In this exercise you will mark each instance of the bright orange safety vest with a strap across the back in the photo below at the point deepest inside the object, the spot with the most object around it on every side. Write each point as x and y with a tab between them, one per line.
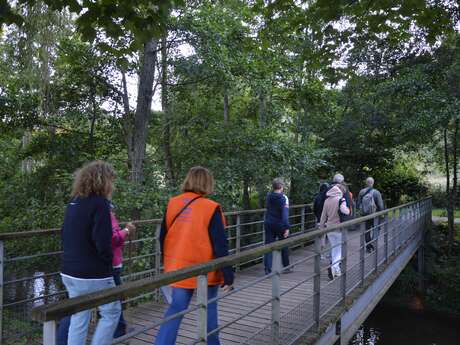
187	241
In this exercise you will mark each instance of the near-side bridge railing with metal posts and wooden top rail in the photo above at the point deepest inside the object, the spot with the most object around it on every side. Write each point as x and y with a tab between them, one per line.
393	230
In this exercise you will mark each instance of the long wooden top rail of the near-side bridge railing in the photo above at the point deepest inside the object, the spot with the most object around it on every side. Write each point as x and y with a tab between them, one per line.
56	311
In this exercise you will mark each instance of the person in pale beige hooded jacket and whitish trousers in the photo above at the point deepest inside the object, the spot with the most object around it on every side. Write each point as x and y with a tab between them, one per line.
334	204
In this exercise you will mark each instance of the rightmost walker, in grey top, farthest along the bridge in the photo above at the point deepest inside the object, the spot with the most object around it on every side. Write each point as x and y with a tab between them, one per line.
370	201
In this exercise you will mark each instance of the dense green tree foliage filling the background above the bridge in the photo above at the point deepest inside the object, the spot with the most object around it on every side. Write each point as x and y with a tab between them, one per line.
276	62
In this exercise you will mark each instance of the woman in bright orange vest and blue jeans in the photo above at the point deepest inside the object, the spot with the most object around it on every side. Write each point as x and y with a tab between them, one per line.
193	232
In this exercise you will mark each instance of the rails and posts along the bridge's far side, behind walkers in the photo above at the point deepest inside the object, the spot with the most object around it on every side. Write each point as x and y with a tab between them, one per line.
242	238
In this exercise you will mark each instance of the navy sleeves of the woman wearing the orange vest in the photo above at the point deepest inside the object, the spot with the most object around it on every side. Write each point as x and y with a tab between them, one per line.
219	242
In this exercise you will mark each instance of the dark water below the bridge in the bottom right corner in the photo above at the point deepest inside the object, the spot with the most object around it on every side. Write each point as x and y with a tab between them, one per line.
401	326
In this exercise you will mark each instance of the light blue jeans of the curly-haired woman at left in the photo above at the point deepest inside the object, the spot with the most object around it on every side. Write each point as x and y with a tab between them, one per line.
110	313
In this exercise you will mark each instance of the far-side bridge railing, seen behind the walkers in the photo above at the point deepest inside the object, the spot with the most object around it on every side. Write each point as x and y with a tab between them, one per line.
29	266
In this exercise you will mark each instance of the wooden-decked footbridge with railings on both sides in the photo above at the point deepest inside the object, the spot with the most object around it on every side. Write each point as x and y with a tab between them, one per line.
301	307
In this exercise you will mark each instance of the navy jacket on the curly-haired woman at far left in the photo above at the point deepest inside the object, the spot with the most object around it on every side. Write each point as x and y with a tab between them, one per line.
87	238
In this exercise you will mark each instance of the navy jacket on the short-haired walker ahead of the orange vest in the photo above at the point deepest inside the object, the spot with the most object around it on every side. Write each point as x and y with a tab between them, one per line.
277	214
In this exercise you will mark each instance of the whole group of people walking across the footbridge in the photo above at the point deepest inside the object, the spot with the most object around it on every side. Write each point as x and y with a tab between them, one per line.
192	232
